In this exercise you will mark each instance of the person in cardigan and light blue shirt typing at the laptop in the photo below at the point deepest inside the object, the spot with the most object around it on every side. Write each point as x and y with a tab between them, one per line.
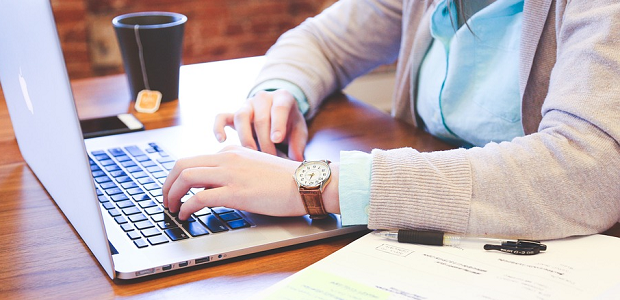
527	90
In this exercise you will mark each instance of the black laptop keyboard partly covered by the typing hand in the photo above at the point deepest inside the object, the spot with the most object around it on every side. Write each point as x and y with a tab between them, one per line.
129	181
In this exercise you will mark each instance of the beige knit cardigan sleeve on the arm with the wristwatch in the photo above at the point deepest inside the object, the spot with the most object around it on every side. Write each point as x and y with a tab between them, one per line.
560	181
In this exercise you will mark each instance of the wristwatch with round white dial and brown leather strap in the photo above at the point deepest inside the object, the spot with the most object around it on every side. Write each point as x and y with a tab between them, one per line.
311	178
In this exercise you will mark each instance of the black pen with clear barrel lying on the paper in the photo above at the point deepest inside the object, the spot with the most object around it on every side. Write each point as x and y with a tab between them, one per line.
438	238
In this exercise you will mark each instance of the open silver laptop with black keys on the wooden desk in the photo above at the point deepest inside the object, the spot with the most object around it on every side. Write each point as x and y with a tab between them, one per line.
109	188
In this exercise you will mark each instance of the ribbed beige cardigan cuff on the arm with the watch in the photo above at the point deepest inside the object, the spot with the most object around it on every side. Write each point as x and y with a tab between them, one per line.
416	190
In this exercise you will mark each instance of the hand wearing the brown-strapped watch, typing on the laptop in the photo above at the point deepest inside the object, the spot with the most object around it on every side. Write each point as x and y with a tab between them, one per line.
239	178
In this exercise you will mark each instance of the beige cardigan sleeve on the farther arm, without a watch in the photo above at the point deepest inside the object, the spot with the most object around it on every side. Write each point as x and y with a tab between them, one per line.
325	53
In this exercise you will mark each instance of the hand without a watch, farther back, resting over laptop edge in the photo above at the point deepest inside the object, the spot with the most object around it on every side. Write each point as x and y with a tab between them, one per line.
268	118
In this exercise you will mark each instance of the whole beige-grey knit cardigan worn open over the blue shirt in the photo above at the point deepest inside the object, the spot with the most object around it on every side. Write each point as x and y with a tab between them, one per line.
561	179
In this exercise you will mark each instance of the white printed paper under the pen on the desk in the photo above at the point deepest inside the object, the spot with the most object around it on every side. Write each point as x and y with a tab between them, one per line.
376	268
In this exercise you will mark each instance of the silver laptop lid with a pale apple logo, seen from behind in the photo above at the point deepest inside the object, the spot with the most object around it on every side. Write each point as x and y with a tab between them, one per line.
40	102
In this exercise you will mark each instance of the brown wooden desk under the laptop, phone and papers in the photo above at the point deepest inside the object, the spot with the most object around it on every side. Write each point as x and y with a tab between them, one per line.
41	256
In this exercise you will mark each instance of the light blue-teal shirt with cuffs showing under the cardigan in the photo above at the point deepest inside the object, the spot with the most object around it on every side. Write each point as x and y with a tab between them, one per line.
468	93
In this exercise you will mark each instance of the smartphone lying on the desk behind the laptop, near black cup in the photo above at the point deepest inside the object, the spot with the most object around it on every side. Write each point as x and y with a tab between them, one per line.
122	123
